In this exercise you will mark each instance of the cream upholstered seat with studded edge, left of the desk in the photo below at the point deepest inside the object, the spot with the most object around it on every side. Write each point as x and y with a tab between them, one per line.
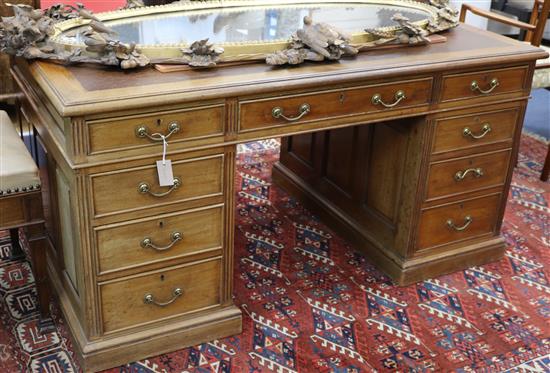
18	172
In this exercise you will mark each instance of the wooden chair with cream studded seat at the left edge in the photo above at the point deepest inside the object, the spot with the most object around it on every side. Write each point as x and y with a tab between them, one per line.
21	207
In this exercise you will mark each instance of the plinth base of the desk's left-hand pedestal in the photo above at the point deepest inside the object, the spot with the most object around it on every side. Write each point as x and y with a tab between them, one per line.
112	351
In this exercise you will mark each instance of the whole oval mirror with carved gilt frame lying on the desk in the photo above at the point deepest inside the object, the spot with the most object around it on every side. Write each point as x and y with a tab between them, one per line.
205	33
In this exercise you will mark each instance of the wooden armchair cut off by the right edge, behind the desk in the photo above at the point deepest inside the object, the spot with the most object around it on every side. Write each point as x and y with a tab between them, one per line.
534	32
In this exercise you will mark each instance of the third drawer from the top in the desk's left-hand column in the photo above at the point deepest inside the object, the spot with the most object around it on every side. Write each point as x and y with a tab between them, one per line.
159	239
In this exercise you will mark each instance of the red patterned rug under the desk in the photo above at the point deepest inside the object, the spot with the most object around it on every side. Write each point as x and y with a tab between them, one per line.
312	304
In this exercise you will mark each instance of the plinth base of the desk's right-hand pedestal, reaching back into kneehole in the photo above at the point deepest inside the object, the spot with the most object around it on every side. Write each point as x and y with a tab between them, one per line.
403	271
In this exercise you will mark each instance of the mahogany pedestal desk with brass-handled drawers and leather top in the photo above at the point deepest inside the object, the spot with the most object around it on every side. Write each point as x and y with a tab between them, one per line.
142	269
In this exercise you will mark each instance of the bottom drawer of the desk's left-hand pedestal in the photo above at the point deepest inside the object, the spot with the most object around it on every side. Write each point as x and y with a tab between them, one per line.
132	301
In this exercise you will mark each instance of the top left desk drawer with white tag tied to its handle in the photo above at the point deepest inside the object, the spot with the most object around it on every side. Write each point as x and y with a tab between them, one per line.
133	131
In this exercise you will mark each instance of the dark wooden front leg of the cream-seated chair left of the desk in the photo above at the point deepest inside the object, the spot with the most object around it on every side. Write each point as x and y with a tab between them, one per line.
38	244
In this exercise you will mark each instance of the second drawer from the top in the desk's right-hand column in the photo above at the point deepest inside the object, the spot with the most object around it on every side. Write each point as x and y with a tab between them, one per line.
475	130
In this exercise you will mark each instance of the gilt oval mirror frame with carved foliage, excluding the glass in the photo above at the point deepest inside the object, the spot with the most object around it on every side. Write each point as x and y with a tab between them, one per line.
95	43
